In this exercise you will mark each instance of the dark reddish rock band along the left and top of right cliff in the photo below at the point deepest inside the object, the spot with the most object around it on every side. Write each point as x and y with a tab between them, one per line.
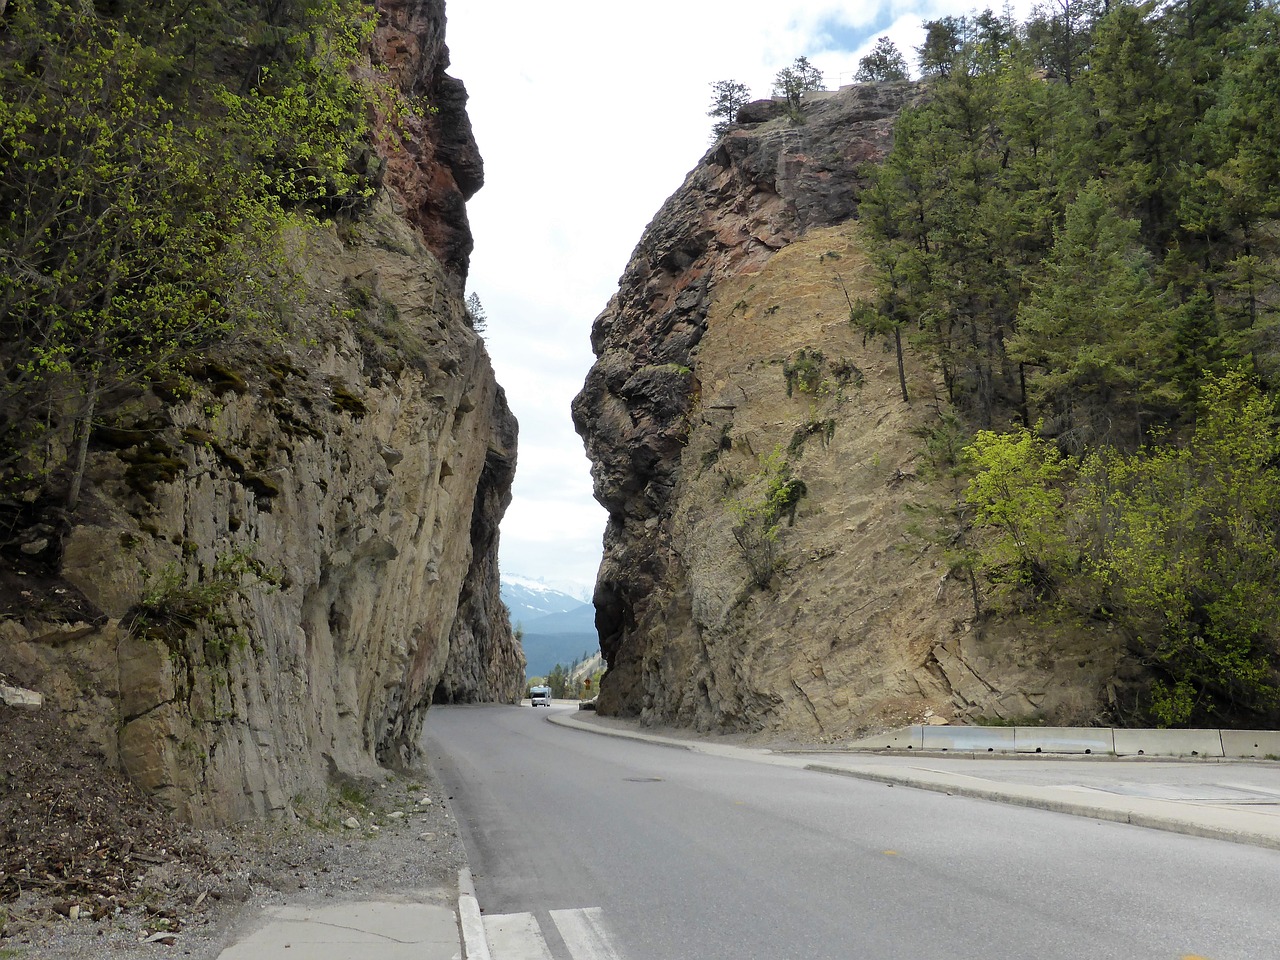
756	191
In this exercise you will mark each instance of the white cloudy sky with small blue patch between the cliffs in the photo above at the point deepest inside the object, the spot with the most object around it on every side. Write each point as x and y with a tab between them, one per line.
589	116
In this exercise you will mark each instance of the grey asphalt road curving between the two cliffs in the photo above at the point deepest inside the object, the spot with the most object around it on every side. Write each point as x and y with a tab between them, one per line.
687	857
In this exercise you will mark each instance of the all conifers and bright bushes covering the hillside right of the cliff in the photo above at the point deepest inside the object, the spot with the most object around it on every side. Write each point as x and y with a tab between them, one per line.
1081	227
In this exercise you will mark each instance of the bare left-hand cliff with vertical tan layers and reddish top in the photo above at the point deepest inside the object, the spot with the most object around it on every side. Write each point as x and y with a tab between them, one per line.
273	575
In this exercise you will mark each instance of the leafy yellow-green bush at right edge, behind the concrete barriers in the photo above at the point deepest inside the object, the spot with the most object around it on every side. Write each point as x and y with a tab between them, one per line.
1186	545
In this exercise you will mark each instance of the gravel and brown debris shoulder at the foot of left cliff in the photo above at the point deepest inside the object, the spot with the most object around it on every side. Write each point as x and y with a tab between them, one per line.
89	867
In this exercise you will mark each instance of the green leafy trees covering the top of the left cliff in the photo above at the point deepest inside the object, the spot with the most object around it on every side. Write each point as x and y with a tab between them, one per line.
147	202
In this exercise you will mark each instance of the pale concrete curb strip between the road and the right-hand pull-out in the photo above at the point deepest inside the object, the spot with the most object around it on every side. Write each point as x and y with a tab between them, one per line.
1026	798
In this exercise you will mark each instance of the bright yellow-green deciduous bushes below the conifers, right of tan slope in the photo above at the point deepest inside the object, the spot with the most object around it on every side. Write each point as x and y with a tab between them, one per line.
1176	545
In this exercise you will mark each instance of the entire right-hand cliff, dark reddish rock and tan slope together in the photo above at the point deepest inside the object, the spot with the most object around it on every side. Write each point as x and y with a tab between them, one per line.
728	365
